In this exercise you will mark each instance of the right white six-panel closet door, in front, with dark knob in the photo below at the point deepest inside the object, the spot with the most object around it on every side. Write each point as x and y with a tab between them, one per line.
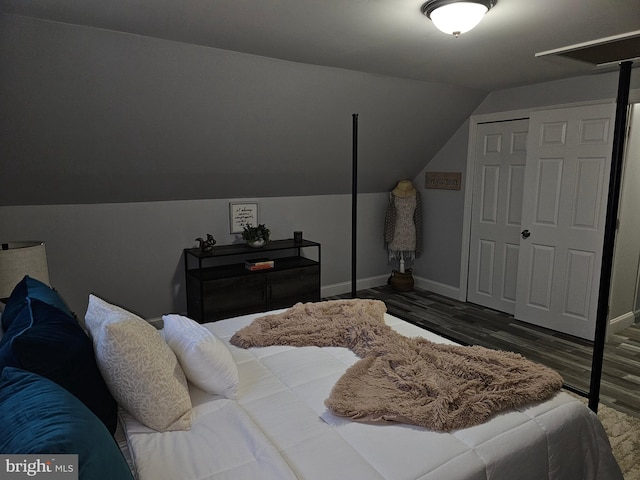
565	195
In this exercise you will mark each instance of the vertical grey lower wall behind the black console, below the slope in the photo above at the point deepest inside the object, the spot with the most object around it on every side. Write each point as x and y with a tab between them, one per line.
131	253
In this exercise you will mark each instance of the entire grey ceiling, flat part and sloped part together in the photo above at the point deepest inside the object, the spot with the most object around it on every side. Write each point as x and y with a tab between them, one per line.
163	99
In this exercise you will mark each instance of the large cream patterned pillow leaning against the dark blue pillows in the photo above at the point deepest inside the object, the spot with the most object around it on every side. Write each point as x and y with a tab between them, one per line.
141	371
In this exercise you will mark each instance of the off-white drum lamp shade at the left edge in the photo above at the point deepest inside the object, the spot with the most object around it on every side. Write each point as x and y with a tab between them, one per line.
18	259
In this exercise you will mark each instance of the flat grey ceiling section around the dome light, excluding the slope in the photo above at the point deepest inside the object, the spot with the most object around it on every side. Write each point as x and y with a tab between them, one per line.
388	37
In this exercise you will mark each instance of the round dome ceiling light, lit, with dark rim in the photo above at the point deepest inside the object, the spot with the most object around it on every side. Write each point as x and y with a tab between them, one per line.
456	17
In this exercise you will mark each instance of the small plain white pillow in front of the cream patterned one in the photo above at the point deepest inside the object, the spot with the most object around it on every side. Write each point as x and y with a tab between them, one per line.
205	359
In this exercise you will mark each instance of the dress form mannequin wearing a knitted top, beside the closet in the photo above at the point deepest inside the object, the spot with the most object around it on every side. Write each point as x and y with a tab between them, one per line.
403	225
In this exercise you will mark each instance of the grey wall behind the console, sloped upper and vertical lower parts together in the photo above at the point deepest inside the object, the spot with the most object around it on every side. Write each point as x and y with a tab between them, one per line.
118	150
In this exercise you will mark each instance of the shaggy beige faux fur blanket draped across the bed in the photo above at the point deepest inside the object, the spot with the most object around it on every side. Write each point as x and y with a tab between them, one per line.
410	380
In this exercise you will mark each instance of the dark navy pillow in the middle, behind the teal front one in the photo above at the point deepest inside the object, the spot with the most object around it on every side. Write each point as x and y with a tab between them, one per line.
43	339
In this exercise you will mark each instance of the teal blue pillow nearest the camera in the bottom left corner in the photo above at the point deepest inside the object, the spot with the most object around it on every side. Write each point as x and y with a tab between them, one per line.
39	417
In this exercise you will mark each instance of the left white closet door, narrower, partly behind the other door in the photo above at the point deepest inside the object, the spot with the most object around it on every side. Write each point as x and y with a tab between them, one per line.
496	214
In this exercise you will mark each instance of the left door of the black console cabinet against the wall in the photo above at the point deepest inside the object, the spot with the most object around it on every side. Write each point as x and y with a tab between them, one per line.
234	296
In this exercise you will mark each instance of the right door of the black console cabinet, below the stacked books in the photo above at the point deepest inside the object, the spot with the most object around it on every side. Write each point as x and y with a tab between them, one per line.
287	287
